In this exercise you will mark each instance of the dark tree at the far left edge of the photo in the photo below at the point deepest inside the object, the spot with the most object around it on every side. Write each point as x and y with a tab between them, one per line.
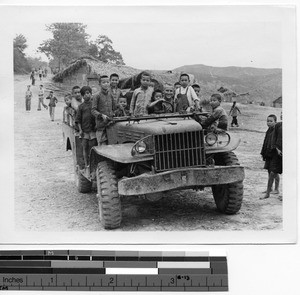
21	65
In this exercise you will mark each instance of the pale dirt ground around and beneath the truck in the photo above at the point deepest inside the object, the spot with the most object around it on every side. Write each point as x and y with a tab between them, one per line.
46	198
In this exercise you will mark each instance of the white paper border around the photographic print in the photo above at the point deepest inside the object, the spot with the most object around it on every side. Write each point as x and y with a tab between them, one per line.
283	14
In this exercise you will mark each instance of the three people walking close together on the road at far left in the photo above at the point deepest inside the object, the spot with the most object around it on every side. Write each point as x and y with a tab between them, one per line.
52	100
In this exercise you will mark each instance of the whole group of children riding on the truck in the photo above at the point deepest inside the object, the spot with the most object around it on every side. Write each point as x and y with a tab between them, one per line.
92	116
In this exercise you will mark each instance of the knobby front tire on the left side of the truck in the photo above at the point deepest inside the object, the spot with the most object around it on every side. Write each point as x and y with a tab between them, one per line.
108	197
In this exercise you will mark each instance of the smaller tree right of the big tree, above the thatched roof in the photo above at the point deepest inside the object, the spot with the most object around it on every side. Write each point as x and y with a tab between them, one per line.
103	50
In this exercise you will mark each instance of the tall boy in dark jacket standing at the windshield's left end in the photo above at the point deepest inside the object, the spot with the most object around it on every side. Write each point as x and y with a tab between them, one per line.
103	107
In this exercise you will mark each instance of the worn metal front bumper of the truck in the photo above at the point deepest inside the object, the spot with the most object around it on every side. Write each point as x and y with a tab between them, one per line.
179	179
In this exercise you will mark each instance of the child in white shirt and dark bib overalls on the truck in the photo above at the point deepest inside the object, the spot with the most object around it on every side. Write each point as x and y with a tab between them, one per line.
185	97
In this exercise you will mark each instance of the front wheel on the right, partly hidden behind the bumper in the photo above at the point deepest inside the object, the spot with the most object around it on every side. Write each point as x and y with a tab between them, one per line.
228	197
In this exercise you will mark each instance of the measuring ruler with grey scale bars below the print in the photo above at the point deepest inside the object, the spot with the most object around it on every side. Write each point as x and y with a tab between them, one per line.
80	270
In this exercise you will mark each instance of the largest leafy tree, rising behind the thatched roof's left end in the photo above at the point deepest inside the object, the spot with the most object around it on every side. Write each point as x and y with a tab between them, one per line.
69	42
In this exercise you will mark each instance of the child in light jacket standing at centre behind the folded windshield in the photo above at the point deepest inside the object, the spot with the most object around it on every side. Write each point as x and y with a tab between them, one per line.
141	96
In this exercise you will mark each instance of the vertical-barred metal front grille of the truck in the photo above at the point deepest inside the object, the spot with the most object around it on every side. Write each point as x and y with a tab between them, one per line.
179	150
